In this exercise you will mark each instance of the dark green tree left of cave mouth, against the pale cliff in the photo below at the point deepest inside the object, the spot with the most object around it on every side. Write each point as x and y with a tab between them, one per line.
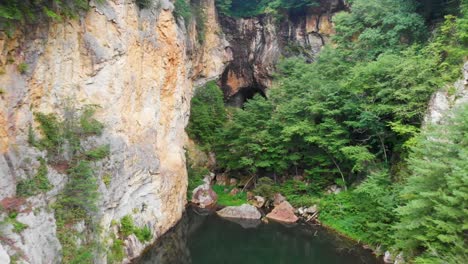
208	115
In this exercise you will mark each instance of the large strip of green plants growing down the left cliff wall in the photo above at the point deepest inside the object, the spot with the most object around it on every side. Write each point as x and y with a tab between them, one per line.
77	203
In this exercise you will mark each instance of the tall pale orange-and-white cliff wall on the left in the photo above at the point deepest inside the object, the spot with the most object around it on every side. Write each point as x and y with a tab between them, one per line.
139	66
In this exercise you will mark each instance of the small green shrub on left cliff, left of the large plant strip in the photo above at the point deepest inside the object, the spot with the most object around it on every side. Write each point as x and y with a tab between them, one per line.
39	183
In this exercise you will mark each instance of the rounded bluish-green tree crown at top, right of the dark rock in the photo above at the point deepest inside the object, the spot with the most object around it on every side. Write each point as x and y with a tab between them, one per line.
376	26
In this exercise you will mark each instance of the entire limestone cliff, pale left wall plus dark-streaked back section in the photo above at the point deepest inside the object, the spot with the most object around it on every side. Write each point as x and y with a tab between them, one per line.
139	66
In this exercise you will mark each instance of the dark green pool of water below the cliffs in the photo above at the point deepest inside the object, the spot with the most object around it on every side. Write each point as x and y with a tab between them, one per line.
209	239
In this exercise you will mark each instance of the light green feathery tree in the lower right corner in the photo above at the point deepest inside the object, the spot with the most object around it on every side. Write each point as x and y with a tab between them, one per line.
433	217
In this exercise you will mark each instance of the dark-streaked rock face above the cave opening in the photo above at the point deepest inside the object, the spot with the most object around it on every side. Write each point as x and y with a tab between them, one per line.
257	43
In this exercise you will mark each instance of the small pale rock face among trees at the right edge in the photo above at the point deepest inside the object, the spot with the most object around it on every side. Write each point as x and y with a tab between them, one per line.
447	99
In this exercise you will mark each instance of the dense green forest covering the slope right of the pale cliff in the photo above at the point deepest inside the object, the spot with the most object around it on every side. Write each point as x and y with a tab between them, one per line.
354	118
